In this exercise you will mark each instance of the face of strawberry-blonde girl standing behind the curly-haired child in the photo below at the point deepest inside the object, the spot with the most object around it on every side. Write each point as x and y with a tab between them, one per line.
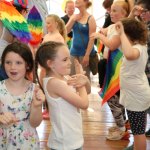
117	13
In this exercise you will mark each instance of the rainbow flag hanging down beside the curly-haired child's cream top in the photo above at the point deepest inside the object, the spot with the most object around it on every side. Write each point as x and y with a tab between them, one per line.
111	81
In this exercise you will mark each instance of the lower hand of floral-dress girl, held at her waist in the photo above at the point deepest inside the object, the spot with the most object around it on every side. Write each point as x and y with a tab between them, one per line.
8	118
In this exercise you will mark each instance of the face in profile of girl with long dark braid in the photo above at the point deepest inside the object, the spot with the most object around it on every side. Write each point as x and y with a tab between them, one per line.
62	62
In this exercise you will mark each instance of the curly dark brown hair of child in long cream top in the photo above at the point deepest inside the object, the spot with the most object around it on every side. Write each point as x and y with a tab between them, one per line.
135	30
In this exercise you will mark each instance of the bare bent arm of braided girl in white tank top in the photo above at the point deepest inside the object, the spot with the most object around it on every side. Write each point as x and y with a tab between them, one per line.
79	101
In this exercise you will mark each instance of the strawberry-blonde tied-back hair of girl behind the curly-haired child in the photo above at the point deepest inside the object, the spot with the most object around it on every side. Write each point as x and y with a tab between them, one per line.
124	4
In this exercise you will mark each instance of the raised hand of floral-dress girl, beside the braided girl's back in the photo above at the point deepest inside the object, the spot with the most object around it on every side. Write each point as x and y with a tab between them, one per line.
38	97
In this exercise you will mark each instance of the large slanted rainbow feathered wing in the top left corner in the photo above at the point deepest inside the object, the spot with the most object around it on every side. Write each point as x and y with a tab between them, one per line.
14	22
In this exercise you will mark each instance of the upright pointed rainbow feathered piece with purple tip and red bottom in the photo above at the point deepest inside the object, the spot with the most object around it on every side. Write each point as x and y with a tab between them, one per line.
35	26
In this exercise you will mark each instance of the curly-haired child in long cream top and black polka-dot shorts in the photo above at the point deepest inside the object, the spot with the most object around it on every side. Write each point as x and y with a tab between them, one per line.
134	87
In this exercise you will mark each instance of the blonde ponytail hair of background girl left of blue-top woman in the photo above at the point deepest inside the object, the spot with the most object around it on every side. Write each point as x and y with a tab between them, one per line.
61	25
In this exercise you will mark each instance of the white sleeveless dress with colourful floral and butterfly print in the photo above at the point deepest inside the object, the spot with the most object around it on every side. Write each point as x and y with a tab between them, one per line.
18	136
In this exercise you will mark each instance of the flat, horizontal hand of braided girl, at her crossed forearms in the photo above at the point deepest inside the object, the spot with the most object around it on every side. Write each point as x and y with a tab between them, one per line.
78	80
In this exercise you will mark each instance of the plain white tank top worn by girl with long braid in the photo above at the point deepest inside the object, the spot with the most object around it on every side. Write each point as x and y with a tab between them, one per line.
66	121
